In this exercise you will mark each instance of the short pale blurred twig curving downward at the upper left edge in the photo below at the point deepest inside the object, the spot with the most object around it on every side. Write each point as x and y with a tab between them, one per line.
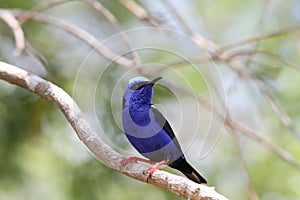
15	26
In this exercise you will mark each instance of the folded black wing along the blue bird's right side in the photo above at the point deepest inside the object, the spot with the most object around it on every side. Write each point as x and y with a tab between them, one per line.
165	124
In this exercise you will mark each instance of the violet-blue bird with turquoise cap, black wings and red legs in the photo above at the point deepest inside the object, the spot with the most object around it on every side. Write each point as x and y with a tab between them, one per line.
149	131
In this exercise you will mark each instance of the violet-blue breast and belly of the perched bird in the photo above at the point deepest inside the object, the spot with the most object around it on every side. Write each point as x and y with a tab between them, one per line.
150	139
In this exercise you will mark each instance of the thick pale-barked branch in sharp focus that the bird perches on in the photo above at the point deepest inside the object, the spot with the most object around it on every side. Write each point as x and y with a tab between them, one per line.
176	184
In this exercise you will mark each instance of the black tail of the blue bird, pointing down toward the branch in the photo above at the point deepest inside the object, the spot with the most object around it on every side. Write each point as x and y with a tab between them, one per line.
182	165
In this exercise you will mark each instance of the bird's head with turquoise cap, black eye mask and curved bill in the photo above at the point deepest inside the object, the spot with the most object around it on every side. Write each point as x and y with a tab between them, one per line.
139	91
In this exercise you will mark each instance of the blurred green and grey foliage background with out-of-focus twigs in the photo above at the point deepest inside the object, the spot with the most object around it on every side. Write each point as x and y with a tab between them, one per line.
230	90
